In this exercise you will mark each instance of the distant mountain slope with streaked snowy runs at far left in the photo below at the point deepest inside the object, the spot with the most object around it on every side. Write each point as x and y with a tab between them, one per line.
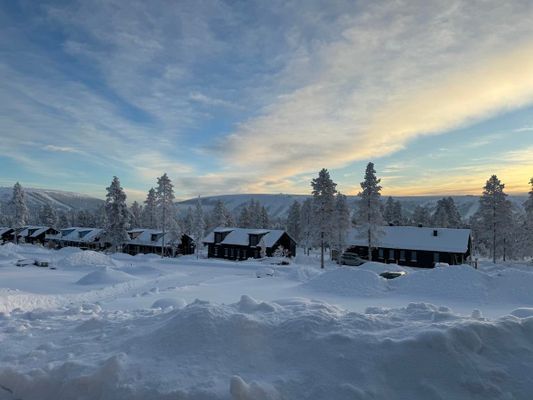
60	200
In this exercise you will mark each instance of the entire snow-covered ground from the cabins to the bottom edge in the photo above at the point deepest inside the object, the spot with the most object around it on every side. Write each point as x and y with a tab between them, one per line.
123	327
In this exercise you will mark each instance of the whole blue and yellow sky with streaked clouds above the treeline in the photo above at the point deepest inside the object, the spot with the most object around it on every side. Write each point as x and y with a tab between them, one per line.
257	96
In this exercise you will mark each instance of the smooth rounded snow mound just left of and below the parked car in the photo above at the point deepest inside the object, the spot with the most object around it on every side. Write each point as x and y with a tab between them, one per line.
347	281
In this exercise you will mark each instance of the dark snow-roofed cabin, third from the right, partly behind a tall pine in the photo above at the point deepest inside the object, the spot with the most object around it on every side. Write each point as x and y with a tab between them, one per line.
150	241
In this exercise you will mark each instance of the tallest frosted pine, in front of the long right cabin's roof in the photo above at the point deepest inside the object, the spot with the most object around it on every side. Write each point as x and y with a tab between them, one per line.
369	217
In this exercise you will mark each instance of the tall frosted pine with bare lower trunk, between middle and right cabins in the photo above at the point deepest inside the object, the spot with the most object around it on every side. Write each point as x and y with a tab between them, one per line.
324	190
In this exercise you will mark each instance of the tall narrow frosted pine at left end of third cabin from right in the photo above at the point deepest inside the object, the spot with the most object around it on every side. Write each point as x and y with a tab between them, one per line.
117	215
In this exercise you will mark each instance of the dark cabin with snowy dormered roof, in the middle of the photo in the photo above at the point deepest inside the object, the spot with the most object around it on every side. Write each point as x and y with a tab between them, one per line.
241	243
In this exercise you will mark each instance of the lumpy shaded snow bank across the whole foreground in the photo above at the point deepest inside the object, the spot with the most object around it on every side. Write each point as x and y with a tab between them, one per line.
291	349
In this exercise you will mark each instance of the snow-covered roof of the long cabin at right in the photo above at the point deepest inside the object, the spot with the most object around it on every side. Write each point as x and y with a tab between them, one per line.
416	238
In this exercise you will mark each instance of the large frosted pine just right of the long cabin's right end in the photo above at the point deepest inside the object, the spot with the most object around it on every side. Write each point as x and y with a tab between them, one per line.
492	222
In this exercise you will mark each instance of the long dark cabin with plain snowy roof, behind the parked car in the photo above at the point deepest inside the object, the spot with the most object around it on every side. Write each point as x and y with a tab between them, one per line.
415	246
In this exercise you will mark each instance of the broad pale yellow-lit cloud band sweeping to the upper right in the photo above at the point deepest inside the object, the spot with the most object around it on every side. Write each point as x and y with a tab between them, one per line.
397	72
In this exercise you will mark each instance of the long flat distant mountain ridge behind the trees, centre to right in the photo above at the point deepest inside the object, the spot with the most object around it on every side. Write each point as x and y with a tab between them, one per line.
278	204
